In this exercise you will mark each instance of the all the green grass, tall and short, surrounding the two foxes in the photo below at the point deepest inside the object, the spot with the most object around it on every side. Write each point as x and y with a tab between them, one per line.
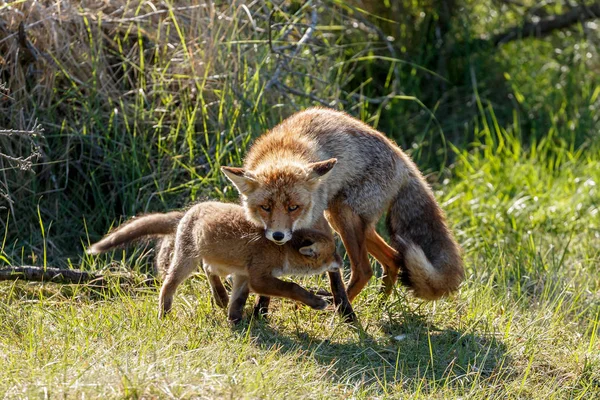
141	109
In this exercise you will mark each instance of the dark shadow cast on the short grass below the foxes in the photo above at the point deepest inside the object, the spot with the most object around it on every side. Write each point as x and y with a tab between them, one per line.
422	356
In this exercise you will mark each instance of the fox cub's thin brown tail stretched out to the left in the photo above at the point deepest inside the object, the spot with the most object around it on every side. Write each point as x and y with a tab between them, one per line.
139	228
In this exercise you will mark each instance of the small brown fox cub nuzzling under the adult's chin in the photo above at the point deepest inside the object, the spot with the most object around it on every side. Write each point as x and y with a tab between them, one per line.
219	236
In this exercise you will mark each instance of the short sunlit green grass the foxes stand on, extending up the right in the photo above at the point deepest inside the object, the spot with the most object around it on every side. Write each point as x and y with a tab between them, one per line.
524	325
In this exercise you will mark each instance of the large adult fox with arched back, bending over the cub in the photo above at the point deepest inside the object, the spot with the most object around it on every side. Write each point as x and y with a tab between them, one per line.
324	160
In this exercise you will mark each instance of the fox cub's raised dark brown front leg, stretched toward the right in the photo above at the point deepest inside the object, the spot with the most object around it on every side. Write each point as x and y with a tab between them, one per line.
268	285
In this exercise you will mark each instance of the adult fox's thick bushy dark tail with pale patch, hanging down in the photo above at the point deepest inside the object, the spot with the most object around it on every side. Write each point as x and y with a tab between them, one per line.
430	259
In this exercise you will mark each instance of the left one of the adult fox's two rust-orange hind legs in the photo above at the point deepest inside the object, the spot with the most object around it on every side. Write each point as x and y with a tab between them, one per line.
352	230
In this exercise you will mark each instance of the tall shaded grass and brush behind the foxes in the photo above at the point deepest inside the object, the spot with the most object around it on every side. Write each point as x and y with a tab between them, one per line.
114	108
